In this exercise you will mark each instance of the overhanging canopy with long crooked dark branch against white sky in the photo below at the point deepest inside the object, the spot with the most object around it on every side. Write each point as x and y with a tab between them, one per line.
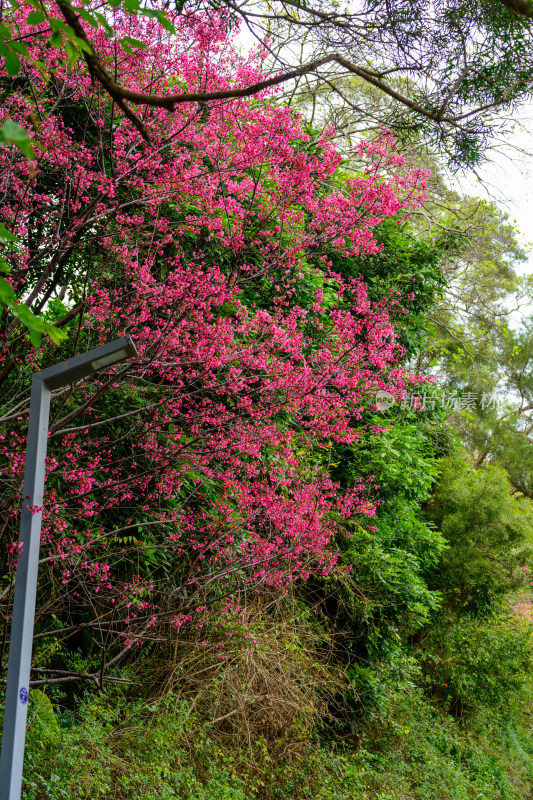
451	72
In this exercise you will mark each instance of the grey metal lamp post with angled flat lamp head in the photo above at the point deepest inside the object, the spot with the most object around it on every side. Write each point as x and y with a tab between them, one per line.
20	648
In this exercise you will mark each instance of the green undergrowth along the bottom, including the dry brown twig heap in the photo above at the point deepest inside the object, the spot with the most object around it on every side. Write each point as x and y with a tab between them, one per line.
255	726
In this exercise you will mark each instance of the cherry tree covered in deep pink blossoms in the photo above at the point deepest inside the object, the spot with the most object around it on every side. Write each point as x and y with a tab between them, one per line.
179	481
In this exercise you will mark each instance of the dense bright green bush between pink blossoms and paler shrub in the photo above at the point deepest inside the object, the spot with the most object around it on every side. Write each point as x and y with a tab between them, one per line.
379	596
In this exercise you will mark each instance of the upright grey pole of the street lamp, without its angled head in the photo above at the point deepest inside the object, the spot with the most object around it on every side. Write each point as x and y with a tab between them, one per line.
18	673
